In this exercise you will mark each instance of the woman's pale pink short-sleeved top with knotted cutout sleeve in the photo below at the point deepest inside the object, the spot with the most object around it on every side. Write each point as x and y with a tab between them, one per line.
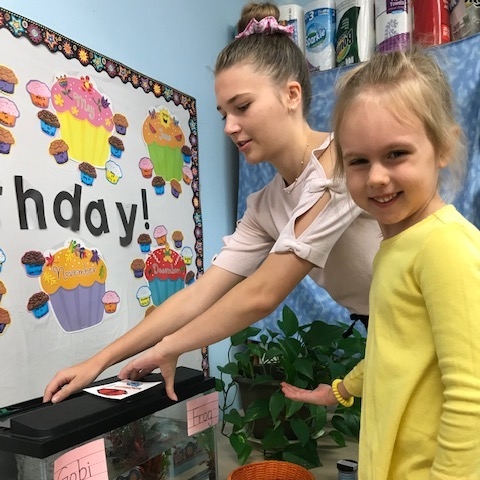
340	243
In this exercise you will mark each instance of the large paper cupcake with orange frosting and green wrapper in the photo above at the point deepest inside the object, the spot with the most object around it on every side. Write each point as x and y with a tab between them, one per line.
164	139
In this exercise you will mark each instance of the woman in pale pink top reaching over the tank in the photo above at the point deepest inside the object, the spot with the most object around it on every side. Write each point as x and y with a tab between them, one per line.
302	223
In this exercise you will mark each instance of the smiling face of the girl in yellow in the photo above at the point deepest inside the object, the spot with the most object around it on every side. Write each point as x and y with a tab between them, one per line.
390	165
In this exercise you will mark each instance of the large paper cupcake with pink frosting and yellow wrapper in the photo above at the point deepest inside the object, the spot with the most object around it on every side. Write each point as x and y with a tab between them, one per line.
85	117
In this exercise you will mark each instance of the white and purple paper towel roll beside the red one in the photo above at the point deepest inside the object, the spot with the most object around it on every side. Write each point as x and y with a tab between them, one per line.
393	24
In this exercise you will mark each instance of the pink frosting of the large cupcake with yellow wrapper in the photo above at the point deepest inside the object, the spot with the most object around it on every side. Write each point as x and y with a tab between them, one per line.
83	101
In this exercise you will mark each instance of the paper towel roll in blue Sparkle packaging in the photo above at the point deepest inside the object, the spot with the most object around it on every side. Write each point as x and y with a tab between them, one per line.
320	34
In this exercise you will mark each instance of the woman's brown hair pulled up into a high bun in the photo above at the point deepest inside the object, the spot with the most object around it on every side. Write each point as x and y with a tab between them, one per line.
274	54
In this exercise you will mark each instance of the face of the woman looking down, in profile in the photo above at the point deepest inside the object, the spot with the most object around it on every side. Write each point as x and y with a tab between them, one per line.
254	110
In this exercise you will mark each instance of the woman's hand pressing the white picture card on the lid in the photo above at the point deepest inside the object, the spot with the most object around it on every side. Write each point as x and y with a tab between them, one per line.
156	357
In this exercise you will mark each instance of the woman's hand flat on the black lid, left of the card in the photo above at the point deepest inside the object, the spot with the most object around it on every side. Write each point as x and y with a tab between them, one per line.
70	380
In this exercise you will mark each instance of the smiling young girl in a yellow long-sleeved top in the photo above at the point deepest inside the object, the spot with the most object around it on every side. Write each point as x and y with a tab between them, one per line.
420	381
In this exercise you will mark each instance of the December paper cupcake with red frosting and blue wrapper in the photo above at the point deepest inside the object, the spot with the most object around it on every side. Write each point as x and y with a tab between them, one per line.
165	271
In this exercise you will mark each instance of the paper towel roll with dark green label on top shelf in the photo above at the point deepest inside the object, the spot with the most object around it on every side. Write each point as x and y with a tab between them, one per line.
355	35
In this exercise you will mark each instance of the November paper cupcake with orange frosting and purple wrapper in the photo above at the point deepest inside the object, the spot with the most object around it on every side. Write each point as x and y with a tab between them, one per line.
75	281
